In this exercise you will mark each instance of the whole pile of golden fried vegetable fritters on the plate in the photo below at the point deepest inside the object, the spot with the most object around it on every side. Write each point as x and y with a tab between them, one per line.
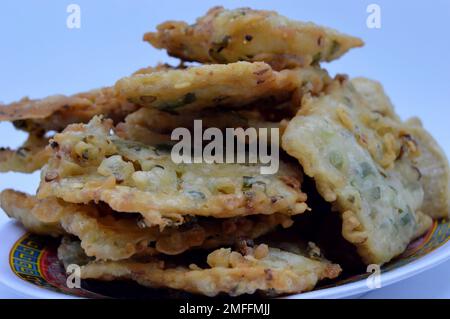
125	210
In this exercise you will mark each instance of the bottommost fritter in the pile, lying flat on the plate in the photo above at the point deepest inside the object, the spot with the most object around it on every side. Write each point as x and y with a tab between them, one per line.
264	269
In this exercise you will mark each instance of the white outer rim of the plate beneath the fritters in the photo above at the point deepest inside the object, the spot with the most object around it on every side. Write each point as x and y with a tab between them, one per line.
410	265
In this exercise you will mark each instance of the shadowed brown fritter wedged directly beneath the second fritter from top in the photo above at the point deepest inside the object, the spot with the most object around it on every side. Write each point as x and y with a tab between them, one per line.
152	126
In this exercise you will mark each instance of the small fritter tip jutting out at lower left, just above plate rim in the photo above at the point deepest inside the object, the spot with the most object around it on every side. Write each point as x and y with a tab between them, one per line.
19	205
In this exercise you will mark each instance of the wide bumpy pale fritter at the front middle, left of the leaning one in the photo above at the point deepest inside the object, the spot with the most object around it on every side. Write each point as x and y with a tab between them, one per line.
90	165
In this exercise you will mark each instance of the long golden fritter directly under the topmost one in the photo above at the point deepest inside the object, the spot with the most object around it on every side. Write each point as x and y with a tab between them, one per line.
230	85
